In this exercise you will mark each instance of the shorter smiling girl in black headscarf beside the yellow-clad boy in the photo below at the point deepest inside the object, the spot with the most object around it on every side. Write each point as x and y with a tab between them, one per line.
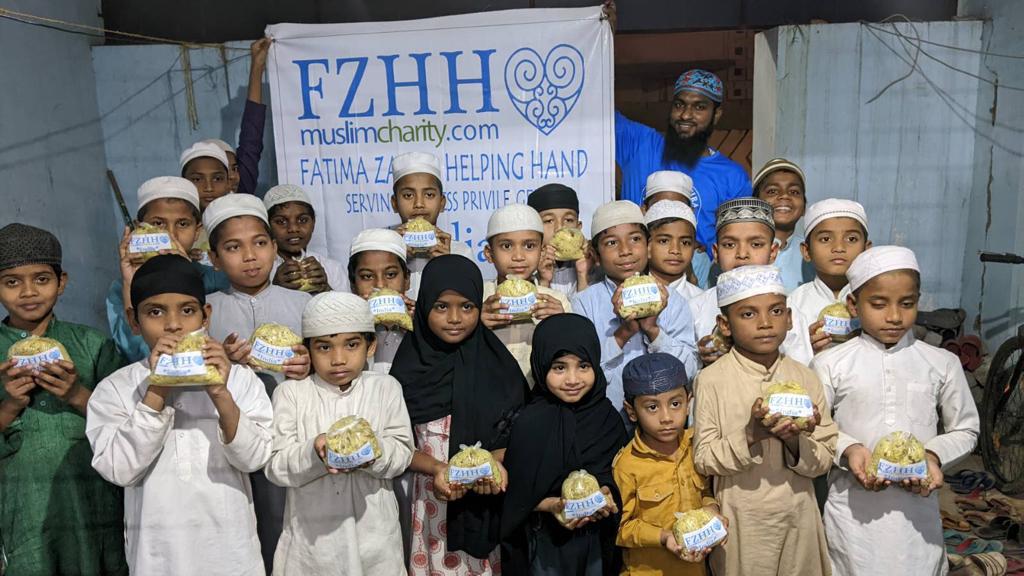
570	426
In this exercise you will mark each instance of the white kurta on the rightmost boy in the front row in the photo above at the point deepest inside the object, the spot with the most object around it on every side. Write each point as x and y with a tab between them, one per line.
875	392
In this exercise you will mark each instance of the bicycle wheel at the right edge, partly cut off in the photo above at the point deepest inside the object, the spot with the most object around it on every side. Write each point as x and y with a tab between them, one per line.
1003	419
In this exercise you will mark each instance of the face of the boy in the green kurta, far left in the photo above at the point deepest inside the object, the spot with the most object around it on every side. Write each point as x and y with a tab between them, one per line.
30	293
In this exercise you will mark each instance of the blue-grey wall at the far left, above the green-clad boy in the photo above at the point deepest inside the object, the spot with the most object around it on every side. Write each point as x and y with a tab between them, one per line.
52	150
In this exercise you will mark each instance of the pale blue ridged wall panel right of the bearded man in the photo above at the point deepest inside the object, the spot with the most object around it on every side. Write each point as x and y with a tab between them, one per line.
905	155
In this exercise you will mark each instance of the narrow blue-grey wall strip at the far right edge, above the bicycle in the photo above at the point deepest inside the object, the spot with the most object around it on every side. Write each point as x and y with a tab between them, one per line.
993	295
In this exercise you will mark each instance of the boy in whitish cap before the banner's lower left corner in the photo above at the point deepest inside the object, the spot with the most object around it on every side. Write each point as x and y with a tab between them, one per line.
292	222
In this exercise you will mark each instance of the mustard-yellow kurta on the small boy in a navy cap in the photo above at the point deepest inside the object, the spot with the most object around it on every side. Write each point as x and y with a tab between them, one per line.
655	487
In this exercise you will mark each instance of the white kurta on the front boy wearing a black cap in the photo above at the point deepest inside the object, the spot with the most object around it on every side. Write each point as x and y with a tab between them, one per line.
189	507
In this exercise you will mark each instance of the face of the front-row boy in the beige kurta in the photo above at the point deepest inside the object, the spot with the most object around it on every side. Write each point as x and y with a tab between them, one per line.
757	325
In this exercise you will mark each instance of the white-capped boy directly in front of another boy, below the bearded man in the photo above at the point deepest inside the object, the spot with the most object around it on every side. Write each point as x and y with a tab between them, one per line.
672	226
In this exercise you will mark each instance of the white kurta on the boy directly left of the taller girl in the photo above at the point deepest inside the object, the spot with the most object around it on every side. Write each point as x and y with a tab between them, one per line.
349	523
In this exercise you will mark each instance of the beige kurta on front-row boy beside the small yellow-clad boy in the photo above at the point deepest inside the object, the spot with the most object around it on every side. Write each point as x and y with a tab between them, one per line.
769	497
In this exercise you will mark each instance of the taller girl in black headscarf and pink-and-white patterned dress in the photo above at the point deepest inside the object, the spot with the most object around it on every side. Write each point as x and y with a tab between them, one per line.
461	387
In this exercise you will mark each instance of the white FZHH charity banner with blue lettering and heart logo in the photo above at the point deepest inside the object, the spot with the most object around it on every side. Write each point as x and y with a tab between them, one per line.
508	102
